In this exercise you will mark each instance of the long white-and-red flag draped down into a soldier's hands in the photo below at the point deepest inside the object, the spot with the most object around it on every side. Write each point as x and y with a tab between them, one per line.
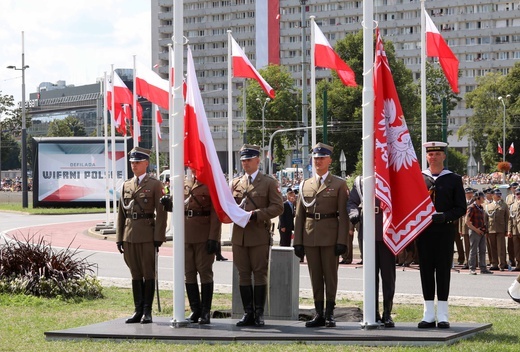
200	153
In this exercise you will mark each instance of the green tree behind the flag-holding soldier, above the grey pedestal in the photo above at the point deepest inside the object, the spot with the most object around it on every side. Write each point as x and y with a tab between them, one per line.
281	112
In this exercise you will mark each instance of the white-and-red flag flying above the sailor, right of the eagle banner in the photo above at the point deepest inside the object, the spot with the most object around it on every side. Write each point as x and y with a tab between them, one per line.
437	47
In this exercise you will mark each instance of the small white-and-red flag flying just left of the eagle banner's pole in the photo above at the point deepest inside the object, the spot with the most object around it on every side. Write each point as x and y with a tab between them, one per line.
325	56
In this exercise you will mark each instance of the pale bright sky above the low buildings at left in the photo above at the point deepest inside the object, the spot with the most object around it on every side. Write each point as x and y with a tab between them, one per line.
71	40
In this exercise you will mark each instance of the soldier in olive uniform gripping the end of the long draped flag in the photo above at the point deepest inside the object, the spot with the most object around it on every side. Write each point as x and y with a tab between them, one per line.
259	194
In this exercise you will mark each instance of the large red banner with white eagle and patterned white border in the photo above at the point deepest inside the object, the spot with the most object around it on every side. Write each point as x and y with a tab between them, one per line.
399	184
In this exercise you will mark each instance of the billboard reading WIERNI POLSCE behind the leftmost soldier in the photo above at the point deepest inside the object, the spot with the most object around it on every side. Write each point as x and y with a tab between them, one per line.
70	171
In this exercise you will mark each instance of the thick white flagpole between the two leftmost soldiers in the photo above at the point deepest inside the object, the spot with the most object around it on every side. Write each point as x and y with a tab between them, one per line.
177	167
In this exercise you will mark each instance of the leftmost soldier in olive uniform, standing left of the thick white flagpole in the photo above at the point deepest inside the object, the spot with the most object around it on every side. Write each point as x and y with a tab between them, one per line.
140	231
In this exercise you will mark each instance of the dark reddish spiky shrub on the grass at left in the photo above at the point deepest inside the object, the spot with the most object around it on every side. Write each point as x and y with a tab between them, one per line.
31	266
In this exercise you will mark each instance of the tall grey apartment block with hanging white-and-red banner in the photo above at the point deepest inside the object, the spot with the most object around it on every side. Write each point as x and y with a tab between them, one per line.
484	35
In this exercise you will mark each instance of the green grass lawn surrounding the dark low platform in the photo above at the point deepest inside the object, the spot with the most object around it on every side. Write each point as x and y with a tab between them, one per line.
25	319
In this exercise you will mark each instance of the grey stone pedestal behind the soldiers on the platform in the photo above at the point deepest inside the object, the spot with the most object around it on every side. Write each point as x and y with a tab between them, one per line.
283	288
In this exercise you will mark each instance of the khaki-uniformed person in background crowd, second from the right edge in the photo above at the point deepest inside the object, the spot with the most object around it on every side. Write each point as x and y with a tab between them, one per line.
496	215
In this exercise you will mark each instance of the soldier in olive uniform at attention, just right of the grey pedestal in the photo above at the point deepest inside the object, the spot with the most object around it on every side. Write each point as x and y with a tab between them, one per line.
321	232
